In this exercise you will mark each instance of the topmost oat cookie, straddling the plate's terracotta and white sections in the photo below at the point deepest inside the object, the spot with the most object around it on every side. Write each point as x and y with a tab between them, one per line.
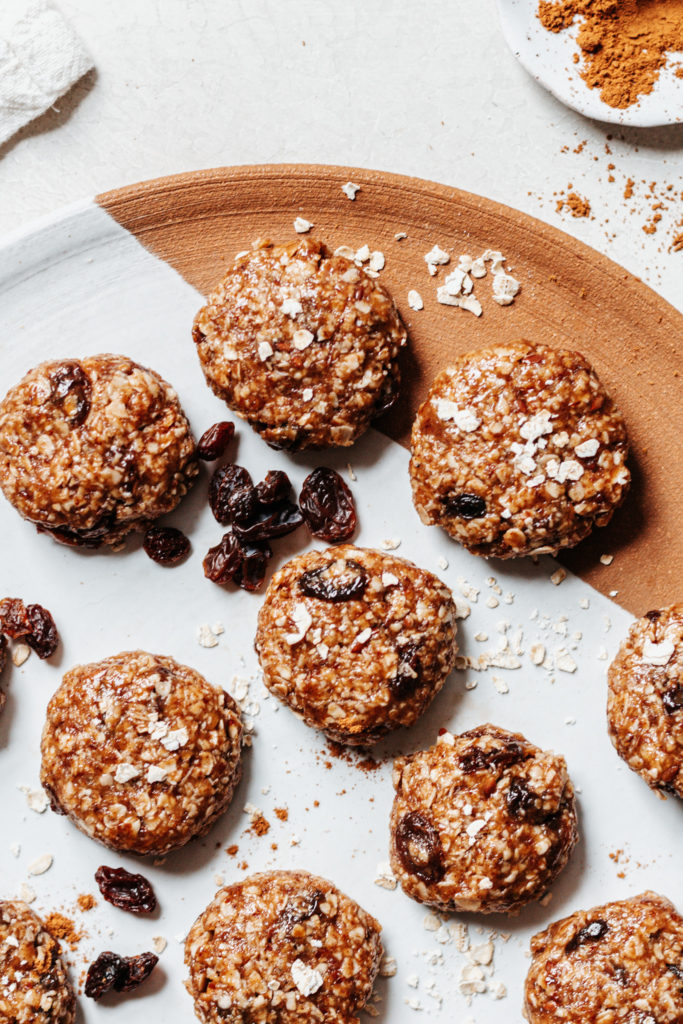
302	345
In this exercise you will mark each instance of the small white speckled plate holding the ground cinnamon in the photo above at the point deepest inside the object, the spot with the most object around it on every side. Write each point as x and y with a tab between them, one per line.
548	58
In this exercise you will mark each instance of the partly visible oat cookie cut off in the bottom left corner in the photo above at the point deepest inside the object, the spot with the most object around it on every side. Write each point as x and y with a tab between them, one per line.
34	986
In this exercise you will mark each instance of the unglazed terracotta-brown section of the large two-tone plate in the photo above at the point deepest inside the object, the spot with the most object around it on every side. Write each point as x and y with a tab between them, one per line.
571	295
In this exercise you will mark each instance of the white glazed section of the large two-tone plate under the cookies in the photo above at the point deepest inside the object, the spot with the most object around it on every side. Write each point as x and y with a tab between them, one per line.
81	284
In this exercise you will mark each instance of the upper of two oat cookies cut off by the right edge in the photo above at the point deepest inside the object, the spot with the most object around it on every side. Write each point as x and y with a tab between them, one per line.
646	700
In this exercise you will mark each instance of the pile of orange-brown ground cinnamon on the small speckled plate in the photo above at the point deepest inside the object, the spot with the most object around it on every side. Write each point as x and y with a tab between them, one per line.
625	44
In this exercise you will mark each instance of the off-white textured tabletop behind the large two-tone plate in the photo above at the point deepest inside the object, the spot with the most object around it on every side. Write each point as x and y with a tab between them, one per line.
409	87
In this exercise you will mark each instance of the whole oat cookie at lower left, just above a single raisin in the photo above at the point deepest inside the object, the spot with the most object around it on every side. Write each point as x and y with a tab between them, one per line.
142	753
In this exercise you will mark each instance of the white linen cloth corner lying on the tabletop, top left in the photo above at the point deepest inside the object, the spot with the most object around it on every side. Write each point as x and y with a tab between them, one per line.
40	59
